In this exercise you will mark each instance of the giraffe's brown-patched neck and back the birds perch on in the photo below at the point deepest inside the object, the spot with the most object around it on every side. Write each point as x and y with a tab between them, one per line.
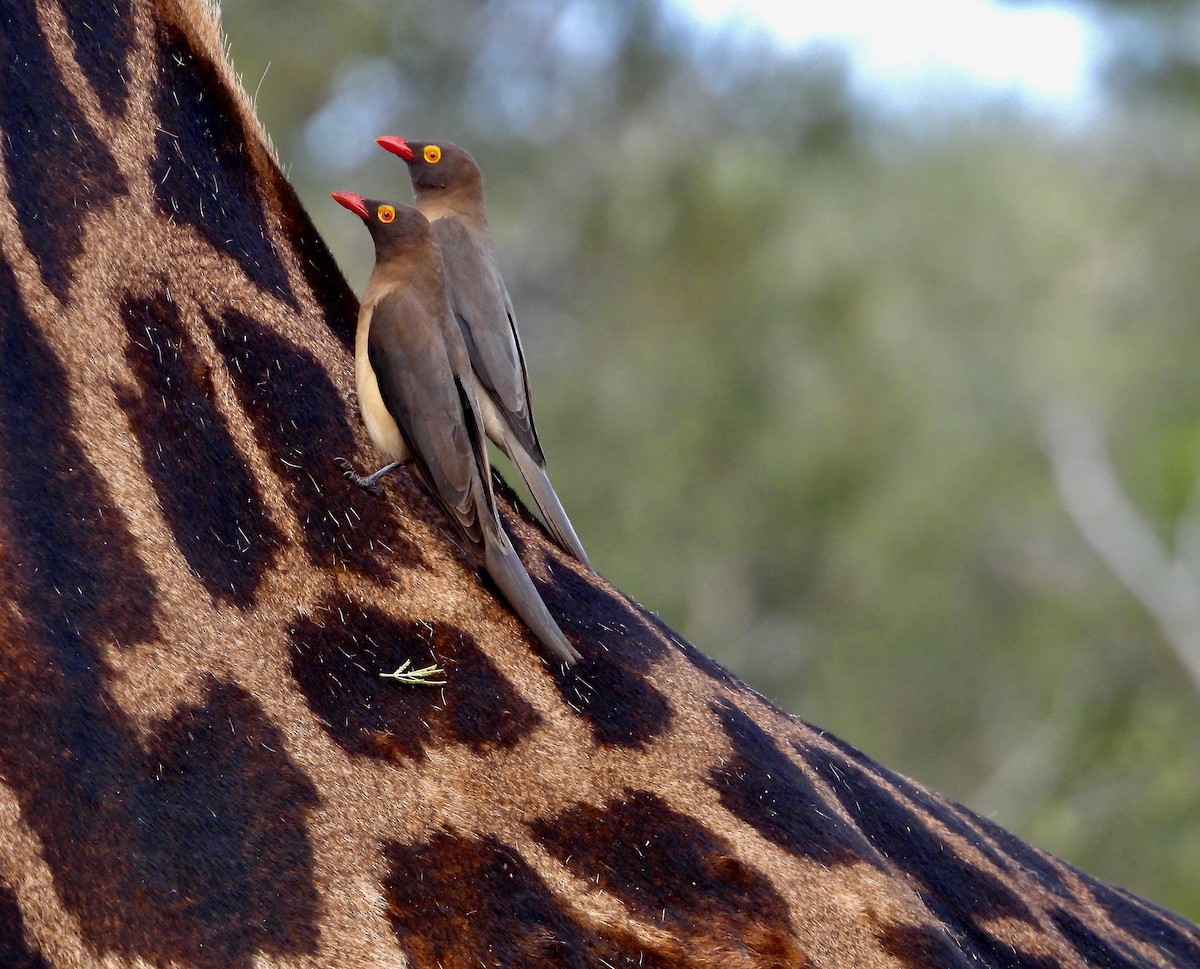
200	762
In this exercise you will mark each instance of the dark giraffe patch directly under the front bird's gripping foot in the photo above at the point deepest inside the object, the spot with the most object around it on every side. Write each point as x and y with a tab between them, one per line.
299	422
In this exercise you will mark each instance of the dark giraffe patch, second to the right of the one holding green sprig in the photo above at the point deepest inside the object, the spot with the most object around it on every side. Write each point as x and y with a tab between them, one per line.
759	785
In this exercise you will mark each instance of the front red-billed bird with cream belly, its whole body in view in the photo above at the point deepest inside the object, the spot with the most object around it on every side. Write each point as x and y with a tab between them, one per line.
418	399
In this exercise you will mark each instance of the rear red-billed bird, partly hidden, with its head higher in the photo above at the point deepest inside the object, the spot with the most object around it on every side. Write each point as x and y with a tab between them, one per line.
449	192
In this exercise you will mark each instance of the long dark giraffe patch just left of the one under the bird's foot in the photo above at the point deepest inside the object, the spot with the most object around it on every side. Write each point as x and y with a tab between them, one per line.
208	498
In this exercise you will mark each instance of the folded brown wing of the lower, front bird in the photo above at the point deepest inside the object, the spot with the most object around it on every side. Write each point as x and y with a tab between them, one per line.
434	408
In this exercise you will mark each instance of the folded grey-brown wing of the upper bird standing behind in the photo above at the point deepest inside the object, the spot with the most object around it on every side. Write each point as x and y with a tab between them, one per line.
484	310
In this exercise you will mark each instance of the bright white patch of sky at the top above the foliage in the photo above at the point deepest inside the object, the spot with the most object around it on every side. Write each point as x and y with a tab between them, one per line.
1042	52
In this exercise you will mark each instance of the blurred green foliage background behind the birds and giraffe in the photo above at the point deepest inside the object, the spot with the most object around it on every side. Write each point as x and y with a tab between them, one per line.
793	360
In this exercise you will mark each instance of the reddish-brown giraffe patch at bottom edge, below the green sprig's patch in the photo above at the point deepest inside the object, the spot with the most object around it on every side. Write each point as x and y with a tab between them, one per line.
461	901
